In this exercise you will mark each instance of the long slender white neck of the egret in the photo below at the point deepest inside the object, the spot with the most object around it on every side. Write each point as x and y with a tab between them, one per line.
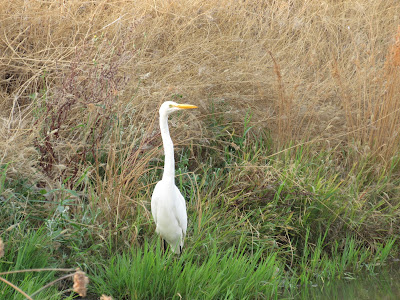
169	164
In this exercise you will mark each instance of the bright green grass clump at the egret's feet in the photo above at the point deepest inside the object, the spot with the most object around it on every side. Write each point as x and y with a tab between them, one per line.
145	273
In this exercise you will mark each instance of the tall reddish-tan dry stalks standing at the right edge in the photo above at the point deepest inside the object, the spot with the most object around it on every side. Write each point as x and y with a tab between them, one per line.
373	115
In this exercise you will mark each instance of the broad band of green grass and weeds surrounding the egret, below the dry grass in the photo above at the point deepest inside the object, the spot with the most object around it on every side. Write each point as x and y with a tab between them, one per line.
261	224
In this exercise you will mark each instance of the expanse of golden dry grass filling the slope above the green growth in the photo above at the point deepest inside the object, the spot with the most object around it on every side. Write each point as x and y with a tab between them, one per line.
306	68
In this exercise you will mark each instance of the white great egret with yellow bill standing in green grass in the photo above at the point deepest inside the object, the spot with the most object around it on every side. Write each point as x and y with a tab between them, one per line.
168	206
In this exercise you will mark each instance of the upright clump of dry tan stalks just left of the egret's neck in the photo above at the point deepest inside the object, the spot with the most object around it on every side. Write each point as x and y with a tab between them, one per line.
132	145
